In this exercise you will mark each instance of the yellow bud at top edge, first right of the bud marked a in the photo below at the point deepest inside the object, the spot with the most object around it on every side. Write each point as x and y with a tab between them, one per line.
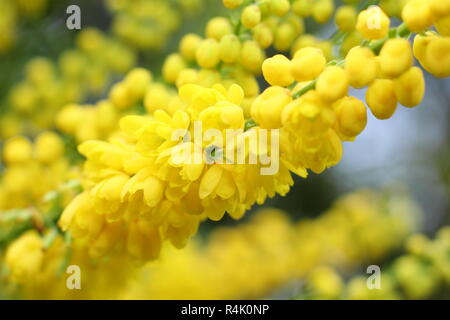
417	15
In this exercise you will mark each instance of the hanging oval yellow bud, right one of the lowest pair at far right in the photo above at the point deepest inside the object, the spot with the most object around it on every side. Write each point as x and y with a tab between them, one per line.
410	87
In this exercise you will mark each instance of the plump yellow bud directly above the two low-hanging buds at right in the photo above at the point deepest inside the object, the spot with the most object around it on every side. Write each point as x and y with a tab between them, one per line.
395	57
